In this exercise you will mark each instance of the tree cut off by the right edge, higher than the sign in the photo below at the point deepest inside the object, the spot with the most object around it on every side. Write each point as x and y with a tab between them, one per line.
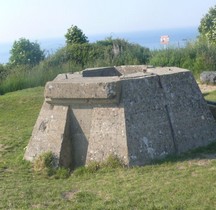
207	26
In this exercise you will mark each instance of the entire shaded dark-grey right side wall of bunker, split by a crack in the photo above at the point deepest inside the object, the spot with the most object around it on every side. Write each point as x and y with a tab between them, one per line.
165	114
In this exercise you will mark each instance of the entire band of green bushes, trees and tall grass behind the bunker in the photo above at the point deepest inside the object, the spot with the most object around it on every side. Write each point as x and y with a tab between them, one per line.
29	67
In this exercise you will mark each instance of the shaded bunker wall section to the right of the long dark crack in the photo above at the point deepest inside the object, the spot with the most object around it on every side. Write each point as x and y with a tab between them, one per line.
192	122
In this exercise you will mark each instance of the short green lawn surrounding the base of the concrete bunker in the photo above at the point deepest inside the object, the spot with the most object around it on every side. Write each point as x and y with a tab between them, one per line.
185	183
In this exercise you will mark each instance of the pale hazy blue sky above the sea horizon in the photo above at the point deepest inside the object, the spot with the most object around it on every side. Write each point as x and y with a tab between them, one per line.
40	19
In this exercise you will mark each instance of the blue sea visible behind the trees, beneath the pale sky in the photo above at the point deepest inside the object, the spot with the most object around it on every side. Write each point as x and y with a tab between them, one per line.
178	37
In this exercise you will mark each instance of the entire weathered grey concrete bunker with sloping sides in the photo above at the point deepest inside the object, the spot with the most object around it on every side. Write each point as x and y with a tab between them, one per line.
140	115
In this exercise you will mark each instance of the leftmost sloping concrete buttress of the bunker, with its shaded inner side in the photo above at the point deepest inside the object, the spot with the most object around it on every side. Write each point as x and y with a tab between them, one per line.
51	133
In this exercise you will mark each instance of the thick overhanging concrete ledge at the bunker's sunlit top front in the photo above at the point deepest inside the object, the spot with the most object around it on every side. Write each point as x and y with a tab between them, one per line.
81	89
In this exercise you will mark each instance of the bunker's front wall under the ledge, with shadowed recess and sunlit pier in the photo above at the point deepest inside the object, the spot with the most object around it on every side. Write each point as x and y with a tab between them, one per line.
96	132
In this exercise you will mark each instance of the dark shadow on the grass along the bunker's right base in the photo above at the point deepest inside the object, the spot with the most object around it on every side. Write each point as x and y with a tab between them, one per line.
207	152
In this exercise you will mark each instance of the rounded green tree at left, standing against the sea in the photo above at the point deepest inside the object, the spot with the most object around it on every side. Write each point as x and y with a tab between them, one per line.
24	52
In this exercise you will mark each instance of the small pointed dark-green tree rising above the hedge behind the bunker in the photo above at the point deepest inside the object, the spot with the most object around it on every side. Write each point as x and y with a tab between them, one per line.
75	35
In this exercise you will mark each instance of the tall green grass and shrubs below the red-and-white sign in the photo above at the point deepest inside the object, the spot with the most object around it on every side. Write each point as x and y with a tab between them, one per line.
196	56
